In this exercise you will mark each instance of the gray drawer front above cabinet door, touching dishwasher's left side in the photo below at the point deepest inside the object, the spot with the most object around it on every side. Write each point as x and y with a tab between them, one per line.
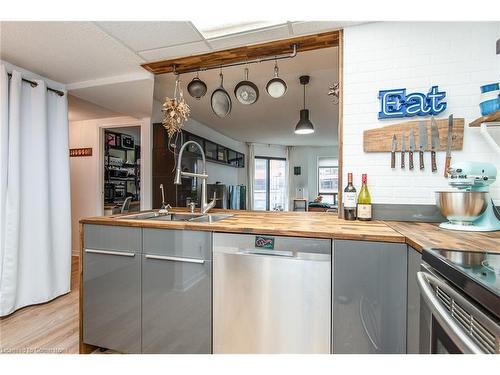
180	243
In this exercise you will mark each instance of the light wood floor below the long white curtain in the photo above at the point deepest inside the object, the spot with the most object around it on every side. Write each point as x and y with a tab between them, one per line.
51	327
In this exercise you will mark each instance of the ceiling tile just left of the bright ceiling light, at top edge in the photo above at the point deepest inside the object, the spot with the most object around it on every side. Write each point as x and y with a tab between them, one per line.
141	36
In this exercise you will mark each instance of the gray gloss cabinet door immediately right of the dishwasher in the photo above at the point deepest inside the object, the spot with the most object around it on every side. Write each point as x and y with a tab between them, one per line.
369	297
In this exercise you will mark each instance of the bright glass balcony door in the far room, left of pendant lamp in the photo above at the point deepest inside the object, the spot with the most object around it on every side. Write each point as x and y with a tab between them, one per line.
270	184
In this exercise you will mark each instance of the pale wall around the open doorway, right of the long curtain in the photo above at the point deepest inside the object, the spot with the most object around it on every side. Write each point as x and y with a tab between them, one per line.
86	172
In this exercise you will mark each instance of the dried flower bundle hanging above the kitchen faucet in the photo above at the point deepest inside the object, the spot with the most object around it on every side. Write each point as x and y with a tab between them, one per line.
175	111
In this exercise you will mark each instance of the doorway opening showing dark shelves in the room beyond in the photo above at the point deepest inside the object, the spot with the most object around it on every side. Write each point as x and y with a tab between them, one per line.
122	169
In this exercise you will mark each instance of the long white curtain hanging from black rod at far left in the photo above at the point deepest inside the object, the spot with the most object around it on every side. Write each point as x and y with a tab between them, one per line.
35	217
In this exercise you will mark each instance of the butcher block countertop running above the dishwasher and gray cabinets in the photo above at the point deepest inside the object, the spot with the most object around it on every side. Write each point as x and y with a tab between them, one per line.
325	225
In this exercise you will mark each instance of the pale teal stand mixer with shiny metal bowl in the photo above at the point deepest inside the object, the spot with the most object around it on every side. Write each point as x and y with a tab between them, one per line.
468	206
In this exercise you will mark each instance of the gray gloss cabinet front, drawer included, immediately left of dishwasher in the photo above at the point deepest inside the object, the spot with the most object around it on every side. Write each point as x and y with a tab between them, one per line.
177	292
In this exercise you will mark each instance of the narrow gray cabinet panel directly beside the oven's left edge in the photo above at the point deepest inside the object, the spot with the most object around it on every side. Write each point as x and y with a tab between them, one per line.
413	311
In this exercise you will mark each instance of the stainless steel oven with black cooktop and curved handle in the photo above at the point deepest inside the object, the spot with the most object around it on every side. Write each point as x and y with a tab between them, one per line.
457	313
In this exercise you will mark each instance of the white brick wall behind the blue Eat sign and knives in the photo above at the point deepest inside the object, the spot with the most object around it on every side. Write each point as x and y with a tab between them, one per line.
459	57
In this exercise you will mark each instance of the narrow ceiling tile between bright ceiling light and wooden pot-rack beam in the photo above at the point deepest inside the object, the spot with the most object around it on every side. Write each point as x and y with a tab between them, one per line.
263	35
